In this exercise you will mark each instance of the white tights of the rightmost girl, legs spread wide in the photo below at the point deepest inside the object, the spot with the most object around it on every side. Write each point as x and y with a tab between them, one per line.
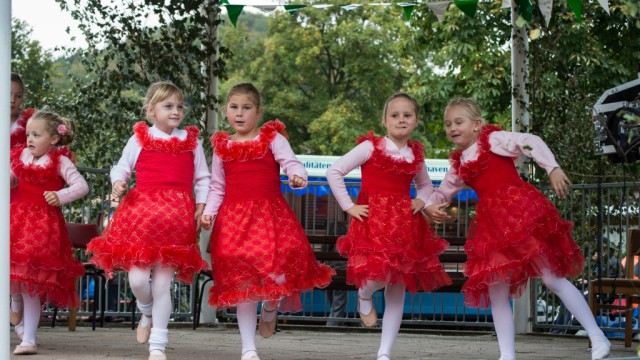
503	316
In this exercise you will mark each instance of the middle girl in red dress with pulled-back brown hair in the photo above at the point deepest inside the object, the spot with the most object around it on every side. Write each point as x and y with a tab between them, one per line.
259	249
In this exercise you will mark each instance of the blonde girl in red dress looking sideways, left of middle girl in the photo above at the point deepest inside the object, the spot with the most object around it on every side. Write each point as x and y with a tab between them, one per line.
153	233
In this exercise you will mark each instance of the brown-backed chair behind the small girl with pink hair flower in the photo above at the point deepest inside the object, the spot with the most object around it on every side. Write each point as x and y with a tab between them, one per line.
80	235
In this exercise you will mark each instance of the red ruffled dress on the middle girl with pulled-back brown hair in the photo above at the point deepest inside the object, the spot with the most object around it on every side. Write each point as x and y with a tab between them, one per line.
259	249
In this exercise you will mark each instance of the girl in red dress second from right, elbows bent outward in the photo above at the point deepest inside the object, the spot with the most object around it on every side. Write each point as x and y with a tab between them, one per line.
389	244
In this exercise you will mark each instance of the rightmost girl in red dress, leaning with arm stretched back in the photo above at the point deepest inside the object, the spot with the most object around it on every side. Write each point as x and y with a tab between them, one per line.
517	233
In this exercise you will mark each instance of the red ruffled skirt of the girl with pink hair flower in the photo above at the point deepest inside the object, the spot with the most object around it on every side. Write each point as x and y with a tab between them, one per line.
42	262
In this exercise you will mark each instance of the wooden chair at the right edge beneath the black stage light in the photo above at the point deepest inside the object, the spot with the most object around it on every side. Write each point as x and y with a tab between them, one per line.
626	288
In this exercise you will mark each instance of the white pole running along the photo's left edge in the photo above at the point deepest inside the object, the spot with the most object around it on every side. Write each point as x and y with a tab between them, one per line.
5	91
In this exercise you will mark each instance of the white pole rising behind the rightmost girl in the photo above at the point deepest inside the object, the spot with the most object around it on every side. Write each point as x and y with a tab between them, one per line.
520	123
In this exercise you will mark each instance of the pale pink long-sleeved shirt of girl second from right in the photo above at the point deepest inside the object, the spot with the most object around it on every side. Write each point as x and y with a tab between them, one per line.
360	155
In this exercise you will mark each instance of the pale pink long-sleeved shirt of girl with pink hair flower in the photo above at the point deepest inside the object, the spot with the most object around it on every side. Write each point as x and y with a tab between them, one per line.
77	184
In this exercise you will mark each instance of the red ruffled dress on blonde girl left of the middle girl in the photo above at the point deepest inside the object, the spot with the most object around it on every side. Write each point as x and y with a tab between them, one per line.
154	223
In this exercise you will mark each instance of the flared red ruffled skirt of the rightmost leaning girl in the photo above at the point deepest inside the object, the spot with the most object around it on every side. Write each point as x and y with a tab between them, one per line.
515	234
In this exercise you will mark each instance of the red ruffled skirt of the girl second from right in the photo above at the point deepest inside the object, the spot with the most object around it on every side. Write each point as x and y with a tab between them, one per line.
393	244
